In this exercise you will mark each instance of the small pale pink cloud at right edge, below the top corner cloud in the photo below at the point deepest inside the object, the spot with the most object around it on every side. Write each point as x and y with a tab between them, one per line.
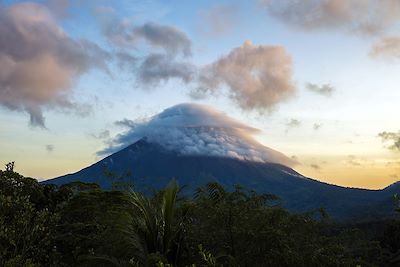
386	48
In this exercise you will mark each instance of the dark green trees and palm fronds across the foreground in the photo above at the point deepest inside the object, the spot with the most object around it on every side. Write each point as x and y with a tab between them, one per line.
79	224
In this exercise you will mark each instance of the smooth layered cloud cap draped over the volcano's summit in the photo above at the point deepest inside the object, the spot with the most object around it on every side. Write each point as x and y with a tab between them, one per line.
192	129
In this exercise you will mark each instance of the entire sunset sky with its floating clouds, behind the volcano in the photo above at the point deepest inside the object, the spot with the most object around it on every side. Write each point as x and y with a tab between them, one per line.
318	78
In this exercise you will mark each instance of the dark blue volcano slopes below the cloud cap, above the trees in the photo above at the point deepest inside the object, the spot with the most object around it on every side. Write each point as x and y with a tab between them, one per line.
152	167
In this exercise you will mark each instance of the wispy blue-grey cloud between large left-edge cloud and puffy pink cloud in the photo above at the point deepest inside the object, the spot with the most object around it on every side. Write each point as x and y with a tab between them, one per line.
154	67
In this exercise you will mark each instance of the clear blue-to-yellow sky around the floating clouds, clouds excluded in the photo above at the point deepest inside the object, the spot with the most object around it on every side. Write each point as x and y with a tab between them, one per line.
345	149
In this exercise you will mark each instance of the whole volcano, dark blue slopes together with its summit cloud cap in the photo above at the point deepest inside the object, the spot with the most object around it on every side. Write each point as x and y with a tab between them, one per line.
195	146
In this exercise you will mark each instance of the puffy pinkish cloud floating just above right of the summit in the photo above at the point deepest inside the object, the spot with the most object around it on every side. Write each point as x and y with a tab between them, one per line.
256	76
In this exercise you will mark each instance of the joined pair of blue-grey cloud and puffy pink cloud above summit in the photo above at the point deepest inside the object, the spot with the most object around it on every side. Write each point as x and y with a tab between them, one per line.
257	77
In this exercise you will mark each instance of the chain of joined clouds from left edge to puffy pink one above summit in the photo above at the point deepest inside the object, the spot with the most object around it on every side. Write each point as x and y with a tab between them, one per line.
40	63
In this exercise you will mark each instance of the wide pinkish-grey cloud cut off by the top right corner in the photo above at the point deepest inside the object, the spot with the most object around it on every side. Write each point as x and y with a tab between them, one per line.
369	17
